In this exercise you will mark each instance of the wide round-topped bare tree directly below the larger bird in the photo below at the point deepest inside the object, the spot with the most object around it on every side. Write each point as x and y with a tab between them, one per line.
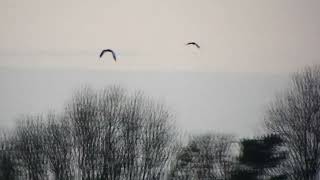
118	135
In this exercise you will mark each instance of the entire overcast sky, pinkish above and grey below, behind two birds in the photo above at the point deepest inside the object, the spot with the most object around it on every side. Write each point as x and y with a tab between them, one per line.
248	48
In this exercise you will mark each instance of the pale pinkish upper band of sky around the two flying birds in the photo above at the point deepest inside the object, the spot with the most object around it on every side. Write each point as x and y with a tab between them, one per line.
237	36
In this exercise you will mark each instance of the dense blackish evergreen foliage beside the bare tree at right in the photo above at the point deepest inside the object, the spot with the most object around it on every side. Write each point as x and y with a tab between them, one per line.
258	158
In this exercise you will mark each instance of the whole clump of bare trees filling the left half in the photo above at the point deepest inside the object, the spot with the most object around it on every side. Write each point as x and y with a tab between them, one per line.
105	135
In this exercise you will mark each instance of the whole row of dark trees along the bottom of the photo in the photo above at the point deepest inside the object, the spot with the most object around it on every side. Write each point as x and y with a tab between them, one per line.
114	134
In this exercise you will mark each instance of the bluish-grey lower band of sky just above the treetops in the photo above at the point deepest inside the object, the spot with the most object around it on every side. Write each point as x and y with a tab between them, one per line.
222	102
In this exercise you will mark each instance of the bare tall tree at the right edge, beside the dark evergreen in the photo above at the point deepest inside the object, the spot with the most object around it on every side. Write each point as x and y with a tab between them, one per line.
295	116
